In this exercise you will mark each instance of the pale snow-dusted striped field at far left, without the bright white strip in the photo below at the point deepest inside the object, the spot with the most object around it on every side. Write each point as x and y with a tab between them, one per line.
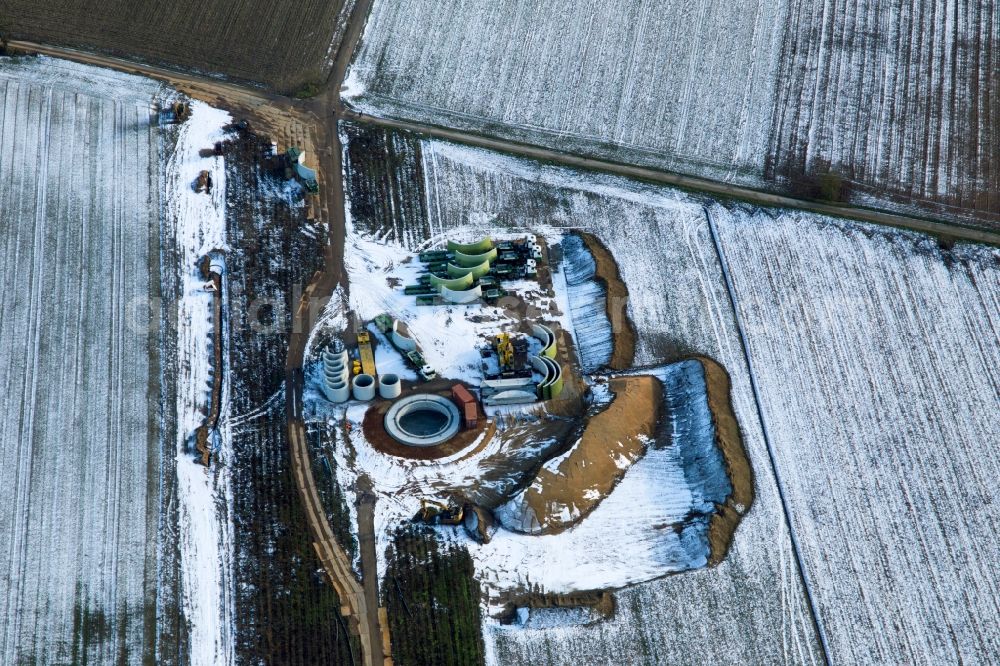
79	440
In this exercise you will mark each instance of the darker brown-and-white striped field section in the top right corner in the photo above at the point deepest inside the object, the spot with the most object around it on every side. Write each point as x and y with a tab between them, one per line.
902	98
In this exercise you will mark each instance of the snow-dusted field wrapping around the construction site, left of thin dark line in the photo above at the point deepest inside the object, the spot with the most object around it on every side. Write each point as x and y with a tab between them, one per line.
749	609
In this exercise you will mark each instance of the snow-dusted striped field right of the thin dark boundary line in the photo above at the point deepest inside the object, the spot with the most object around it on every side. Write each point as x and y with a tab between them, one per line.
878	364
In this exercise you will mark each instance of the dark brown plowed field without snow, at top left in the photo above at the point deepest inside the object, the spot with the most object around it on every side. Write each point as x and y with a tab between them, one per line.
281	43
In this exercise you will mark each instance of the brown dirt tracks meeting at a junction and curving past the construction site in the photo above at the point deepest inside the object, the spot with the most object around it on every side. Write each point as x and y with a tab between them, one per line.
360	601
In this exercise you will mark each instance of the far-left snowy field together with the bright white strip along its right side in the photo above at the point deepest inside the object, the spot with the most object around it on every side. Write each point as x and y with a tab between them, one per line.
90	502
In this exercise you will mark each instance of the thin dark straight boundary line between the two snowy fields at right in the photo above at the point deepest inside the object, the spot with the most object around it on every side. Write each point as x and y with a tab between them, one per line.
755	389
